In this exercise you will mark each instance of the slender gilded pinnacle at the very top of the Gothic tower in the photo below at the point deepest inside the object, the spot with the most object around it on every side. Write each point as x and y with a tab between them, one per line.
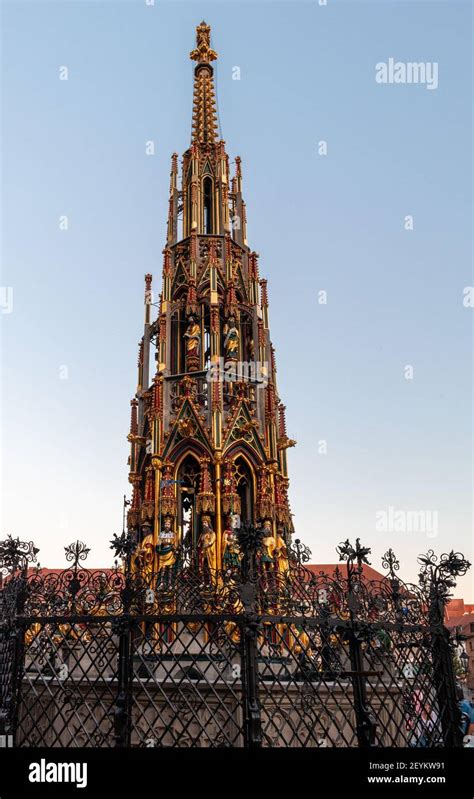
204	103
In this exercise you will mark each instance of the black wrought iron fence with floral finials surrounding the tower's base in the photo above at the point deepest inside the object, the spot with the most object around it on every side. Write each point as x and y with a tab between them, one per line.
253	656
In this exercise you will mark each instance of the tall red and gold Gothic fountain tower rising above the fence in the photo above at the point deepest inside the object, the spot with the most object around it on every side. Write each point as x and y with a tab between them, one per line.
208	430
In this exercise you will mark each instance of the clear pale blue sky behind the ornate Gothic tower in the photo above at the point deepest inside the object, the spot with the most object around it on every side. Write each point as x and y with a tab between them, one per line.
331	223
